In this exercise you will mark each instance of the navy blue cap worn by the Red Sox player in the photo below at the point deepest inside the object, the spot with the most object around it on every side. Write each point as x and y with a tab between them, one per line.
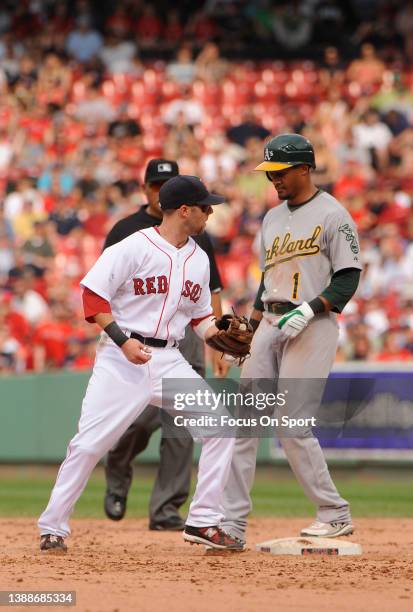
189	190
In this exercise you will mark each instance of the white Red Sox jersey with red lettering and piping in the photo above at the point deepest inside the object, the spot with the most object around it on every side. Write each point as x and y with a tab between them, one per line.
153	288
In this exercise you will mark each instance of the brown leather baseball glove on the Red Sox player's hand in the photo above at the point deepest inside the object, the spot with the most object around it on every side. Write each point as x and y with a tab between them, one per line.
234	337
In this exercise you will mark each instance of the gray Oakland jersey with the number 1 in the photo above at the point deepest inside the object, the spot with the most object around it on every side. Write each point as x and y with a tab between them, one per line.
303	248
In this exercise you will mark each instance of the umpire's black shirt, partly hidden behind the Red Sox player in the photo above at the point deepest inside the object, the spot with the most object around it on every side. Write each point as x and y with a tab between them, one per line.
141	220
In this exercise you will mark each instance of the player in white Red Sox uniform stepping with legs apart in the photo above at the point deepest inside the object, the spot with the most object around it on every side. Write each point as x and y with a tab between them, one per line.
143	292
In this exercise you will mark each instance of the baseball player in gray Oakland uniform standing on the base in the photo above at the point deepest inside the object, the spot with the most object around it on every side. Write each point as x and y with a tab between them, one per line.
310	269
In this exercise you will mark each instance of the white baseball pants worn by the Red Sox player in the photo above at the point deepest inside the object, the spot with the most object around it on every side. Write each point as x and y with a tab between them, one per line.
118	391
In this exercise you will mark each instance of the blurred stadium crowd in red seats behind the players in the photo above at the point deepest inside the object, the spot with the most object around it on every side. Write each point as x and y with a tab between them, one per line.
85	102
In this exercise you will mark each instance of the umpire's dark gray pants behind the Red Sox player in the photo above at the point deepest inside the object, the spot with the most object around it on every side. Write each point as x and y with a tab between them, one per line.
173	480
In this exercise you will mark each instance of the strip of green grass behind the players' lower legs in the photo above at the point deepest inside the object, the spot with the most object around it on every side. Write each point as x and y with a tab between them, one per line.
24	492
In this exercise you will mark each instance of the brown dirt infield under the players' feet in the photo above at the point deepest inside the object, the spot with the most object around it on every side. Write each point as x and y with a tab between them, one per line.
125	567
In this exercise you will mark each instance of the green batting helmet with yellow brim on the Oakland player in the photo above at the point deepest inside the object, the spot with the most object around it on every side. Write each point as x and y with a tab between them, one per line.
285	151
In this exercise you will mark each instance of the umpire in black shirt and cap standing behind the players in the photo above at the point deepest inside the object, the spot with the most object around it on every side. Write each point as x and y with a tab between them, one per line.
172	484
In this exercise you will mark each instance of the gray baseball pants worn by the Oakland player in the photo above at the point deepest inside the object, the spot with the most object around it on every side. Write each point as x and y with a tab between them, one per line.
309	356
